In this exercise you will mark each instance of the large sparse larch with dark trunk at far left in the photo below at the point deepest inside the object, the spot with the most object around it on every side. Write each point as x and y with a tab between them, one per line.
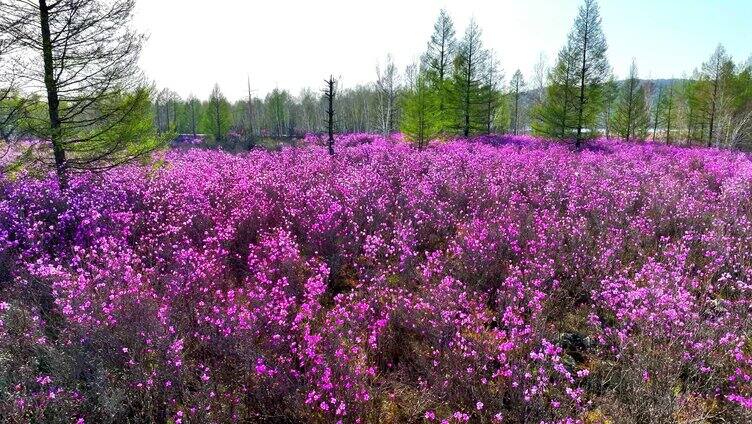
81	56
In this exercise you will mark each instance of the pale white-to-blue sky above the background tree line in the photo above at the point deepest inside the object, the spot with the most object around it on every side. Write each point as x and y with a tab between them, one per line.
282	43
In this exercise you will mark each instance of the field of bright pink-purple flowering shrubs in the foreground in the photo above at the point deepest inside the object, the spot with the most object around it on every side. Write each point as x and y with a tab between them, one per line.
493	280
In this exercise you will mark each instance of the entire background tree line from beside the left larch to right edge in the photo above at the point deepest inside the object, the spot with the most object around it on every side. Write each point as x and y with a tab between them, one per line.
458	88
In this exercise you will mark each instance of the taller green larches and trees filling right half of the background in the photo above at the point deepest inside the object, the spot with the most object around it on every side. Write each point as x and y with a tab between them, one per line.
457	90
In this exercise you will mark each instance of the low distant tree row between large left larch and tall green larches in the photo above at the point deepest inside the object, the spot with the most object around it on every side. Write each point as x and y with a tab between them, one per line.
365	108
